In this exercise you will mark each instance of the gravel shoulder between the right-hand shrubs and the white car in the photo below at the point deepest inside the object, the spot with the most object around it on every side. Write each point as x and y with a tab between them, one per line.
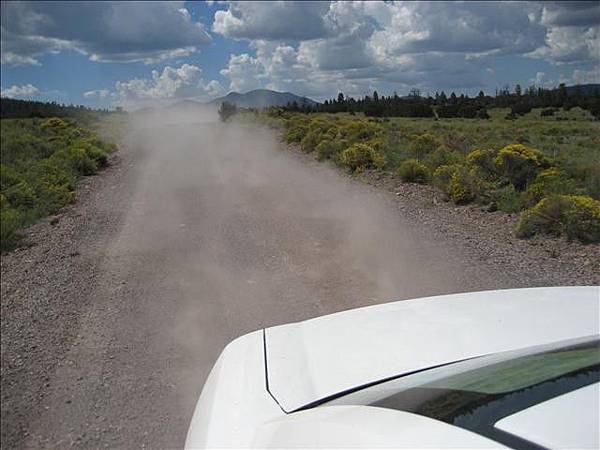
489	237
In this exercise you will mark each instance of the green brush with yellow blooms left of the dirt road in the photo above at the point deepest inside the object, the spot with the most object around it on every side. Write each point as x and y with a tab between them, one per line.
42	160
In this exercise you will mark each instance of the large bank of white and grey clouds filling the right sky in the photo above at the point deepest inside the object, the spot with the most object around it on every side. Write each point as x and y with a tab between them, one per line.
313	47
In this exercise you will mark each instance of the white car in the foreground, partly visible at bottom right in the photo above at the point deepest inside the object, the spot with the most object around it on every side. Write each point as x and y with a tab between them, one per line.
514	368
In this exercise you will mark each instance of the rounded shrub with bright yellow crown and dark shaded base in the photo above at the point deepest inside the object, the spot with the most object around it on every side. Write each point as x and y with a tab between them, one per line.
519	164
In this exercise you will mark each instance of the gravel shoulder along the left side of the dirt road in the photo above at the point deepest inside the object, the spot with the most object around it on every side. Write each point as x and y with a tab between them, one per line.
45	288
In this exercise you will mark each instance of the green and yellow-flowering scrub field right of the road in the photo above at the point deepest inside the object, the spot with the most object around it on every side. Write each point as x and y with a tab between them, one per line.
545	166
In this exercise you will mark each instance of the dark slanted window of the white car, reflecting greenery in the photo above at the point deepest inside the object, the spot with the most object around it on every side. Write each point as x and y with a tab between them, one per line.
477	393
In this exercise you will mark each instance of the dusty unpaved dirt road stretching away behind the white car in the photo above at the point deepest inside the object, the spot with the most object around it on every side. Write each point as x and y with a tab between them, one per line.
199	234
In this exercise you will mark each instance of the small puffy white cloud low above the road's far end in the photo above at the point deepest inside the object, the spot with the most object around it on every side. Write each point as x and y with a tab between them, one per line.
170	84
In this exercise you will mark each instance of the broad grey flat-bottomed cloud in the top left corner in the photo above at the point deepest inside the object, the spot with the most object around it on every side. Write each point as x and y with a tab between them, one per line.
105	31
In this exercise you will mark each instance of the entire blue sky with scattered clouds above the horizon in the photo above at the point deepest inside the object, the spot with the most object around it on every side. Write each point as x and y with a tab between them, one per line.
135	54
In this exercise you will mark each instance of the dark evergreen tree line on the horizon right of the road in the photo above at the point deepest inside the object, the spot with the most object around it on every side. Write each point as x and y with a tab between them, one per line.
520	101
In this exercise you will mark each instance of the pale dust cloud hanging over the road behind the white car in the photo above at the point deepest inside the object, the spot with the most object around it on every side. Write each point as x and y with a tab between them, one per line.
229	232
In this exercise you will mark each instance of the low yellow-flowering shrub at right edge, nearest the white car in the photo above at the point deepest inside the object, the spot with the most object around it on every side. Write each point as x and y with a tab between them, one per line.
577	216
